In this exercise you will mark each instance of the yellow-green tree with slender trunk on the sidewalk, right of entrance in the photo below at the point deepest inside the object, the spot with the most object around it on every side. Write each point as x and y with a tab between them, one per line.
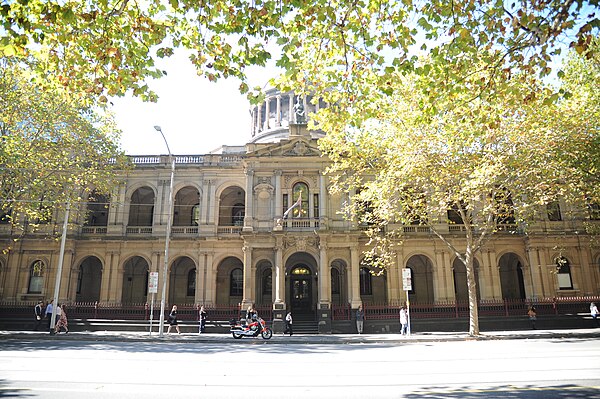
488	163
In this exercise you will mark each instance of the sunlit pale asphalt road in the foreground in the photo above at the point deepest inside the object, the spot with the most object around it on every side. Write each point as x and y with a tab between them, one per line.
510	369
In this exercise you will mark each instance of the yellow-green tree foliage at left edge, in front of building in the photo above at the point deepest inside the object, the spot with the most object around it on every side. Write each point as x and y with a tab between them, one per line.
52	150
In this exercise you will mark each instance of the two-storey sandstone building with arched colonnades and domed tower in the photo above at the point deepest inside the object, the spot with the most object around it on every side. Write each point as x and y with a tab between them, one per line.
231	245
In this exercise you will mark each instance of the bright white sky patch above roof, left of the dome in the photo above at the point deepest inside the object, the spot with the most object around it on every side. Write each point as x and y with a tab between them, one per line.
196	116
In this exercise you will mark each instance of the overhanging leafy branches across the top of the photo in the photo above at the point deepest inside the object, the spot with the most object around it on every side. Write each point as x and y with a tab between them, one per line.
110	47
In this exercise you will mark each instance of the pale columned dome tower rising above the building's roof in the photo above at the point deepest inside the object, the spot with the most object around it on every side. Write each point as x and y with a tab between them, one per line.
272	118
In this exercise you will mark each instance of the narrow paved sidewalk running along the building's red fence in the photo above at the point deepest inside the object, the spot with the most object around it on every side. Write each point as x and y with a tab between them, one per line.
324	339
